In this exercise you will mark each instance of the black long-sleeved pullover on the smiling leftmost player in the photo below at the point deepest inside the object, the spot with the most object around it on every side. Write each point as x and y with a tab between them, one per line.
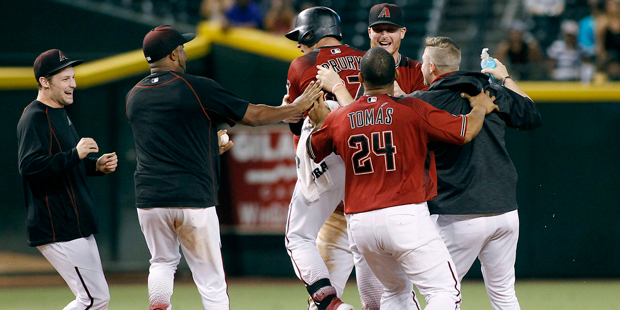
59	202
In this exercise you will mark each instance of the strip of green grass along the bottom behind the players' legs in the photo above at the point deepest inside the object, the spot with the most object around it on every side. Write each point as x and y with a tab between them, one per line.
281	294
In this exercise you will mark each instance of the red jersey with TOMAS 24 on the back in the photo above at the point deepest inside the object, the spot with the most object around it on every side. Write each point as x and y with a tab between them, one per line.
383	142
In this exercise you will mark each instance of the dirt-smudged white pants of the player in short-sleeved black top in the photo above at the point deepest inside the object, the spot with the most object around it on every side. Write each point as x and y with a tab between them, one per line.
197	232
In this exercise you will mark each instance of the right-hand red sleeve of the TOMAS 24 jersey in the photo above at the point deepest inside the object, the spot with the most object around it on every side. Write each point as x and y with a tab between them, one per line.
440	125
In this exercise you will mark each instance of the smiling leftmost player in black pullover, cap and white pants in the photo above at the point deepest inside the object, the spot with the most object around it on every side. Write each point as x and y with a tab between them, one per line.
54	164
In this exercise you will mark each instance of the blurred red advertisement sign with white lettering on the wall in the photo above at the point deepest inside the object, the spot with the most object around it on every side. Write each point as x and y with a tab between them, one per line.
262	177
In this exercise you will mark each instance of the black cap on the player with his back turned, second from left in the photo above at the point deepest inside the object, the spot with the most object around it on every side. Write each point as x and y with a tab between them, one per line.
161	41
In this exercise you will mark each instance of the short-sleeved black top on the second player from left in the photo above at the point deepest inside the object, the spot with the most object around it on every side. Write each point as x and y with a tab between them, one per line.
174	119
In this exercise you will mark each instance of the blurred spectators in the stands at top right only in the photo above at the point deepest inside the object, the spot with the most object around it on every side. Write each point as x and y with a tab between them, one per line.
548	45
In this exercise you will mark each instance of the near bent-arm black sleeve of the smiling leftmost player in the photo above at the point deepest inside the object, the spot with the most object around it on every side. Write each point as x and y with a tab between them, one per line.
35	160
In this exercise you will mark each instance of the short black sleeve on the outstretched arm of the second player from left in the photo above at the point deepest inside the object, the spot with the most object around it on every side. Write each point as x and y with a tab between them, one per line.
221	105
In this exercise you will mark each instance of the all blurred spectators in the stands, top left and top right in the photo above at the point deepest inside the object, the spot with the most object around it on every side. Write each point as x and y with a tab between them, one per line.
550	41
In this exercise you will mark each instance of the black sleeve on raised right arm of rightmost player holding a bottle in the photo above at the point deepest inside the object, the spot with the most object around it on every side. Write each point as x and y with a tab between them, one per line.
517	111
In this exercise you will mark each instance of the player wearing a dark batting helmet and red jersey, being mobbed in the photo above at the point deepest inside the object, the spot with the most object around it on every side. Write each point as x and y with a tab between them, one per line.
320	188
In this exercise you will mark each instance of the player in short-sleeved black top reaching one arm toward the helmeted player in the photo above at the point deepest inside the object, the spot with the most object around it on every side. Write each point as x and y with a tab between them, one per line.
174	117
